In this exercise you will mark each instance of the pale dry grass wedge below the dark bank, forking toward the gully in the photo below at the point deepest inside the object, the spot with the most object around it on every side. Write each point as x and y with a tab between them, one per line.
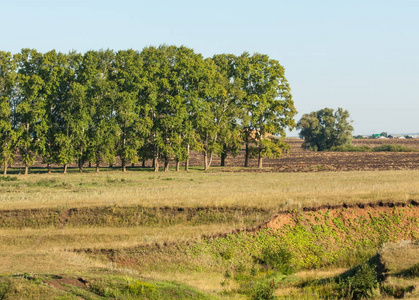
44	250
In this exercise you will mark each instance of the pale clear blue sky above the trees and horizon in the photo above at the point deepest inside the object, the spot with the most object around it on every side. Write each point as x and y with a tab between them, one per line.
361	55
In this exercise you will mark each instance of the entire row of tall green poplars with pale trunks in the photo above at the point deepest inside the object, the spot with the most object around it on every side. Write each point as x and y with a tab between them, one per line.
157	104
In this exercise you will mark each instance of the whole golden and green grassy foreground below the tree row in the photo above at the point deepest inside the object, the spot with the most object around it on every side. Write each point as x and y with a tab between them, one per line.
150	227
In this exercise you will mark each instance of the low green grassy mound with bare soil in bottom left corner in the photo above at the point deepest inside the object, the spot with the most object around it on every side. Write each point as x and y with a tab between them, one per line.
27	286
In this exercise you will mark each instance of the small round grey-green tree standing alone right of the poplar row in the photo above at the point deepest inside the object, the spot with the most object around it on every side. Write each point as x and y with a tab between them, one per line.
325	129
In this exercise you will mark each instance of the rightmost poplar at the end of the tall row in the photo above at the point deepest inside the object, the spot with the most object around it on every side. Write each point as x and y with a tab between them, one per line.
268	106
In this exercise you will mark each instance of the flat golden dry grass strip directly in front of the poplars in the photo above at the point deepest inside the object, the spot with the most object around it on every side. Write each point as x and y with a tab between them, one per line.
266	190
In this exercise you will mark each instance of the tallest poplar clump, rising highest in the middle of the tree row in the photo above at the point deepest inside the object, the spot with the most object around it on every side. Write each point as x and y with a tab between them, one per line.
172	80
